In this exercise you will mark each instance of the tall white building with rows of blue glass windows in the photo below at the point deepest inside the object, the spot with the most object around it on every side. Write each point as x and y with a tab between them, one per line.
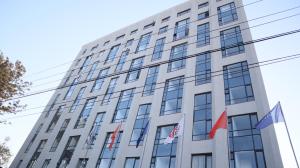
187	61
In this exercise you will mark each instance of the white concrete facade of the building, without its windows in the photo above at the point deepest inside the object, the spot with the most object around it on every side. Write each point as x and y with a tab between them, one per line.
217	147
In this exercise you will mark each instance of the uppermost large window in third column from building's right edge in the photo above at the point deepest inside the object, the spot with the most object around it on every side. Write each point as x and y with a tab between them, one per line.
181	29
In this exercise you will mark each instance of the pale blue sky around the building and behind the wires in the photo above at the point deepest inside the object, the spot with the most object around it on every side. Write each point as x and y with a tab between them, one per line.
46	33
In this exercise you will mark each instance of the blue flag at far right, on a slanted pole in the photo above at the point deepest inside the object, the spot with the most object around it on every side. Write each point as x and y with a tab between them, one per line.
274	116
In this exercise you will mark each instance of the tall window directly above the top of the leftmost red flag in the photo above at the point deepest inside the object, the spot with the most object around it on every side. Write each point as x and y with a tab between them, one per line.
123	106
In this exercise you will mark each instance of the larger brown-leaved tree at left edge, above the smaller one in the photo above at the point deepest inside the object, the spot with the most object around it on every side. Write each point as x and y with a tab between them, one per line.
11	85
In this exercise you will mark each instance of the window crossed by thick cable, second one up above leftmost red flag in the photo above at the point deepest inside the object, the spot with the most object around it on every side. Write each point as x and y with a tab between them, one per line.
134	70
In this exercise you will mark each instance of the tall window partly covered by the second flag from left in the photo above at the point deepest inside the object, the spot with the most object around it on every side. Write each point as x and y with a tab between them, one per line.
140	123
